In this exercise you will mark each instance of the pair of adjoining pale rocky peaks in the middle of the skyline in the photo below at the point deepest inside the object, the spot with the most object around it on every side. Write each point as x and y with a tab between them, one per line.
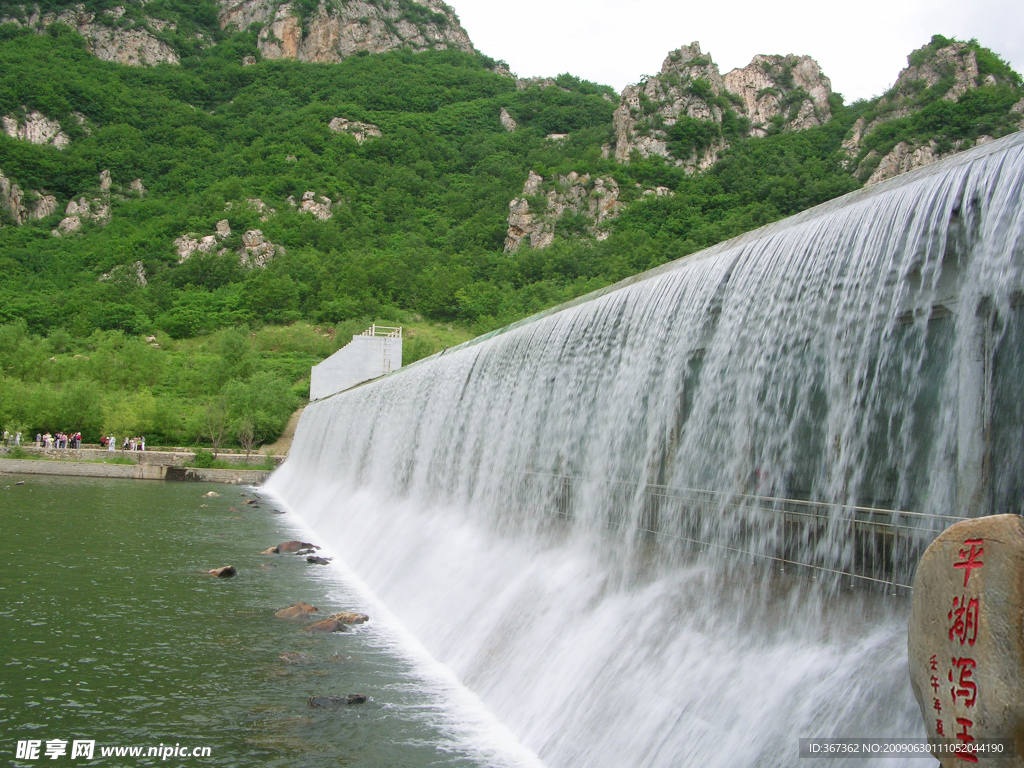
773	93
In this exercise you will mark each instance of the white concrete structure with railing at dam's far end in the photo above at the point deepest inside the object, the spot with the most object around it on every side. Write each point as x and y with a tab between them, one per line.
374	353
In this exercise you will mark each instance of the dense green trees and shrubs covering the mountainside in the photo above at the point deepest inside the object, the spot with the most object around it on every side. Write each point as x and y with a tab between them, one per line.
418	226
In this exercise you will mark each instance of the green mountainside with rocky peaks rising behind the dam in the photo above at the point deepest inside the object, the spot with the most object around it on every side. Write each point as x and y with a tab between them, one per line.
275	177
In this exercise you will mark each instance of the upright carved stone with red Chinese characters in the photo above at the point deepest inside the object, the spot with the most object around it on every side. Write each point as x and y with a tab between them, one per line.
966	636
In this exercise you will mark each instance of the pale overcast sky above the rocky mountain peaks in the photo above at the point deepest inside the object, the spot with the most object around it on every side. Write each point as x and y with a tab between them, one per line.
861	47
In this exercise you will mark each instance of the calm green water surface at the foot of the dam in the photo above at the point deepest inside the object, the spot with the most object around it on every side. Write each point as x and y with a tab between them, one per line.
111	630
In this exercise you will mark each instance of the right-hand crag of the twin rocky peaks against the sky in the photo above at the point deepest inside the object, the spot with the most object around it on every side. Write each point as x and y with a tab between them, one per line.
791	91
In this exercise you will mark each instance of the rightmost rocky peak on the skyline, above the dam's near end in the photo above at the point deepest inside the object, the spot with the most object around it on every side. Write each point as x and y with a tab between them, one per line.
956	68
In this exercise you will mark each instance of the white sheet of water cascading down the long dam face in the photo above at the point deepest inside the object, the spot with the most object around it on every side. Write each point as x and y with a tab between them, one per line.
591	517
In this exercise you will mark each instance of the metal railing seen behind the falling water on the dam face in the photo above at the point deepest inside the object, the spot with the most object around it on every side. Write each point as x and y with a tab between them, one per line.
881	546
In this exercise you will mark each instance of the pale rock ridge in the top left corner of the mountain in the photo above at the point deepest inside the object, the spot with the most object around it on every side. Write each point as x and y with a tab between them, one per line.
105	36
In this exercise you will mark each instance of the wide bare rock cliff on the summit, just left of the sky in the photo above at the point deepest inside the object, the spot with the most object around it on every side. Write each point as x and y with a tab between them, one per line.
339	30
